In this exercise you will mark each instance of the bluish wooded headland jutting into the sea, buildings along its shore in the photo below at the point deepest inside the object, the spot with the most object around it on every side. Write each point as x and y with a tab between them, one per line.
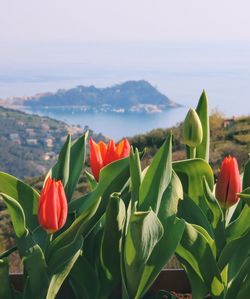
131	96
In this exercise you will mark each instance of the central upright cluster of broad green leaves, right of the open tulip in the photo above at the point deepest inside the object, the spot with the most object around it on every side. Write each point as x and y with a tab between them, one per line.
152	231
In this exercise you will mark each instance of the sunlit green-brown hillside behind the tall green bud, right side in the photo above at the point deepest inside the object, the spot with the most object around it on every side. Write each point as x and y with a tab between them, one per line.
227	137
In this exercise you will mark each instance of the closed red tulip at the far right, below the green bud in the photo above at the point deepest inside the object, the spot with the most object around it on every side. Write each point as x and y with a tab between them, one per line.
229	182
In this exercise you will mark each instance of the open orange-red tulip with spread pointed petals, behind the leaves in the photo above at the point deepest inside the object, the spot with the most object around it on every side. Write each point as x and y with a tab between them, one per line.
102	154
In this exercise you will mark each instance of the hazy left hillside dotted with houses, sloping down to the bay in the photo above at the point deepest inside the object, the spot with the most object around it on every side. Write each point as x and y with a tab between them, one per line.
29	144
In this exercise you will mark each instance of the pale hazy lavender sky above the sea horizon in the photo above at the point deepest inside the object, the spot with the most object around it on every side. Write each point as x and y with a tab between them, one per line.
162	20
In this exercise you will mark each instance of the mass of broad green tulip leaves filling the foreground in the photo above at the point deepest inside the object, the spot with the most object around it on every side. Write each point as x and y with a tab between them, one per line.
125	227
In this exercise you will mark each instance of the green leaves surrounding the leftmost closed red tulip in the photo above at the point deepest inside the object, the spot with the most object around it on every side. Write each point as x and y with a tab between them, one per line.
47	261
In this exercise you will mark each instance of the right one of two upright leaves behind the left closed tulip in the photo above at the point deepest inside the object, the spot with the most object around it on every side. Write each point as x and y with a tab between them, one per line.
77	158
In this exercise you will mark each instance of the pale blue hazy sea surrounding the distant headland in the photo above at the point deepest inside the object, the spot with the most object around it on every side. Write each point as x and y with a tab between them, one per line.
180	70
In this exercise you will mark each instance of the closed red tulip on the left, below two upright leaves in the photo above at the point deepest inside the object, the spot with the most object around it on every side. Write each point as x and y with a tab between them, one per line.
53	208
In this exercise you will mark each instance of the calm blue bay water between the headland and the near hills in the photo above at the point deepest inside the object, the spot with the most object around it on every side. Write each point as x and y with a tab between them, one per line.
115	125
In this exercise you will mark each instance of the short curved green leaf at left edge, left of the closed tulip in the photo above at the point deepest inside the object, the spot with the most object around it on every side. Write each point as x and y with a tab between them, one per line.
17	215
